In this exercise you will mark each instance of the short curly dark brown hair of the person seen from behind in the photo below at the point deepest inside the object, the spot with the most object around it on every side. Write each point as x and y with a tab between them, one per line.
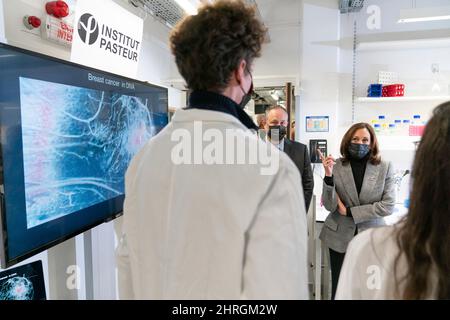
209	46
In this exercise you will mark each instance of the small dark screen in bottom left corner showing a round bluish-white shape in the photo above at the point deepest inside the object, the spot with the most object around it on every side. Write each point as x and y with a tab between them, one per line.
23	283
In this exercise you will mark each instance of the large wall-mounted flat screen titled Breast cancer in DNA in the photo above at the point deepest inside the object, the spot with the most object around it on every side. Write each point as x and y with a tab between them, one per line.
68	133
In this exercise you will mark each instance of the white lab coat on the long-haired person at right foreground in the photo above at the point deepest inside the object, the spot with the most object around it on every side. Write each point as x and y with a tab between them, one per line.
368	269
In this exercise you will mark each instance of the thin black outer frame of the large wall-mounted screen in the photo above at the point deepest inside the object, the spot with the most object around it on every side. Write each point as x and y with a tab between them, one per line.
5	260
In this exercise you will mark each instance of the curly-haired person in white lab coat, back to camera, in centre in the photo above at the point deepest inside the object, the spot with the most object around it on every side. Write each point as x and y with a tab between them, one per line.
213	229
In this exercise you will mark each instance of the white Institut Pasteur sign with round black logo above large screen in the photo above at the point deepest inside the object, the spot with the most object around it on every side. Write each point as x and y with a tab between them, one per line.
107	37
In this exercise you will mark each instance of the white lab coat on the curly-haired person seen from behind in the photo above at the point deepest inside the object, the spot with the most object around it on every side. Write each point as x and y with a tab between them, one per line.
211	231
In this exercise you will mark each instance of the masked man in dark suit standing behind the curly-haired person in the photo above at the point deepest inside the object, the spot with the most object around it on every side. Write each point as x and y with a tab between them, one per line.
276	123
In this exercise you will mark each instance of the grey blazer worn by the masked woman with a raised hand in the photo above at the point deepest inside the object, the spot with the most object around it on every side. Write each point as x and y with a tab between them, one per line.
376	200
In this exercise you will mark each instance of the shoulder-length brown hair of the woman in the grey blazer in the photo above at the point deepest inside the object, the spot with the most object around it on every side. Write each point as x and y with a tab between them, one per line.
375	157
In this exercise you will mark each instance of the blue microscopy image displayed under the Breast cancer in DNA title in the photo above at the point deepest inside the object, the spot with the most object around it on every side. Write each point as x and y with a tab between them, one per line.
77	144
